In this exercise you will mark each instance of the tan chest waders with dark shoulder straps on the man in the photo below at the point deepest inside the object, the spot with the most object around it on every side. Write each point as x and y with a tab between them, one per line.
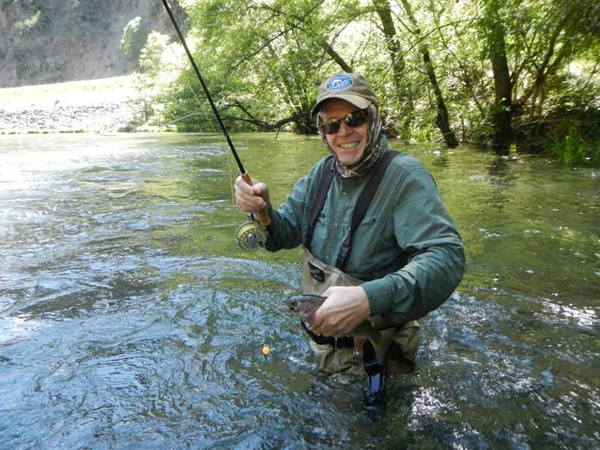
352	354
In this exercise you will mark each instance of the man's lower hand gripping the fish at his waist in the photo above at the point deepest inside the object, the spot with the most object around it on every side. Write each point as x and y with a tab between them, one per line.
346	307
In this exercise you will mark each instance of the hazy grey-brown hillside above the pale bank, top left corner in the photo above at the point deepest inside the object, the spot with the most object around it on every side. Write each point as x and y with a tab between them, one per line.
50	41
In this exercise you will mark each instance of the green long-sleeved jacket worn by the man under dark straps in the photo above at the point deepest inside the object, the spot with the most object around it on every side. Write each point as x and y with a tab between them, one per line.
407	248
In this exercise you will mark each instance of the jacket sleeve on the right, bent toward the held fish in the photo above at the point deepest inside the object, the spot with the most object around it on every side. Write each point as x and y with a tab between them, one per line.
424	229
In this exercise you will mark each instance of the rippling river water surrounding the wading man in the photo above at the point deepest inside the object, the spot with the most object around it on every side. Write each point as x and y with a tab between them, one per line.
130	319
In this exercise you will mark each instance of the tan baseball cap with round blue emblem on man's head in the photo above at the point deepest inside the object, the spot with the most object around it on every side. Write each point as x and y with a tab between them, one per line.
352	87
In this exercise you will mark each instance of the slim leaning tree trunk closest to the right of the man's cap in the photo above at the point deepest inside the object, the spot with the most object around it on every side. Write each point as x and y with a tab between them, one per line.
383	9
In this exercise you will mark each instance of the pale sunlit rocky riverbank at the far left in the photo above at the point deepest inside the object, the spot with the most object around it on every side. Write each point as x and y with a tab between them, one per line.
94	106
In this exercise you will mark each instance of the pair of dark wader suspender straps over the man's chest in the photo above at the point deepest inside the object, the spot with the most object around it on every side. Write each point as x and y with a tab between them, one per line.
360	209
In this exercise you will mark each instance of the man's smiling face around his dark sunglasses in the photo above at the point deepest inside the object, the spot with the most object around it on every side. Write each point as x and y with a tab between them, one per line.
348	143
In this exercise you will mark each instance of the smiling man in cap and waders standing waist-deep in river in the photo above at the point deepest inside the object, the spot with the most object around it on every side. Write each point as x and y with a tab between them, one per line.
402	260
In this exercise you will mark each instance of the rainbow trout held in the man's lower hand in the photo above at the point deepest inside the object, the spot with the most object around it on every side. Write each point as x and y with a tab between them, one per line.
305	306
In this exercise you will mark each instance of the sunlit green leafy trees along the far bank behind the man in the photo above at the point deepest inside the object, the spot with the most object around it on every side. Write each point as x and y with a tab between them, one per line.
263	61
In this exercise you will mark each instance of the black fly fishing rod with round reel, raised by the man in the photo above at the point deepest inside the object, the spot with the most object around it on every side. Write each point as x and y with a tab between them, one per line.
250	235
